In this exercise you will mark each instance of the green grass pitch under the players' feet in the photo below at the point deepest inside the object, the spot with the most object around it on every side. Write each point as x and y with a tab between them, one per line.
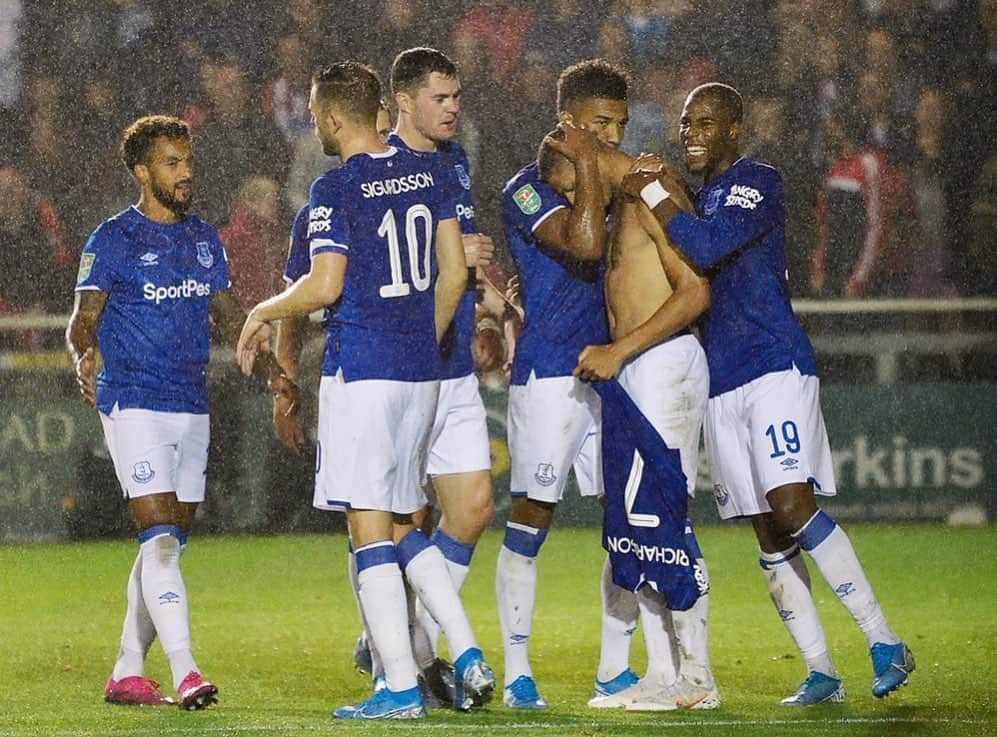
274	625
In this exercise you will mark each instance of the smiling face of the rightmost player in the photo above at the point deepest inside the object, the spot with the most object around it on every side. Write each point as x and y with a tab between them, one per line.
709	135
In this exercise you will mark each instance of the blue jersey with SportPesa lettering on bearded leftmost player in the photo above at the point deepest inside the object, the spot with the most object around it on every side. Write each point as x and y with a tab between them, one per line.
154	332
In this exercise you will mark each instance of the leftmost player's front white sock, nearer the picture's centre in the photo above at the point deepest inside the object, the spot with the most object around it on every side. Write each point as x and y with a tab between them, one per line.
165	598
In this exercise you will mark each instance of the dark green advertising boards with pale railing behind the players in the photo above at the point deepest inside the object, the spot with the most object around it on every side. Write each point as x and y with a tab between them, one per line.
901	451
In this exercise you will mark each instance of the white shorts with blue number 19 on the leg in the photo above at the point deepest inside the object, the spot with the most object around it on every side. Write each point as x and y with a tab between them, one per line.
763	435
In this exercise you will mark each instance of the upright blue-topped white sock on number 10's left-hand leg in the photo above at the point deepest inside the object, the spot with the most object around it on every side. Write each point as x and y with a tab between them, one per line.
382	598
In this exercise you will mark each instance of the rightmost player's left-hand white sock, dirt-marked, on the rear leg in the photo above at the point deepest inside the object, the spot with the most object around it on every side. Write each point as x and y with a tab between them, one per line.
789	586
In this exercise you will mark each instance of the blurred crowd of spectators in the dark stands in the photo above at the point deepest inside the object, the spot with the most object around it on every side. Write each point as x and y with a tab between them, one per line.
879	114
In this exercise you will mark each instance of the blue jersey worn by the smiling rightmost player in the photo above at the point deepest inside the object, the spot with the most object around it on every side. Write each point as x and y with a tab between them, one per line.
738	240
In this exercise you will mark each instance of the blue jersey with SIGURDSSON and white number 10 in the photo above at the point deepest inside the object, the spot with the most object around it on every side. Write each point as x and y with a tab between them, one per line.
381	211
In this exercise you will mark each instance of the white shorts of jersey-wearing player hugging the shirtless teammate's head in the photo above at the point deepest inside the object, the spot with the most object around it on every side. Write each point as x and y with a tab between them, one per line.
554	425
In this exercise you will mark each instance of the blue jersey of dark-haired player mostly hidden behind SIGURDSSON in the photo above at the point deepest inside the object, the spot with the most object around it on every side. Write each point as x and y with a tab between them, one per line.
455	348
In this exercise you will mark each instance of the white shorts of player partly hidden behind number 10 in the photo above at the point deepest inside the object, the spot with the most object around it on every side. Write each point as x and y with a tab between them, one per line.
459	440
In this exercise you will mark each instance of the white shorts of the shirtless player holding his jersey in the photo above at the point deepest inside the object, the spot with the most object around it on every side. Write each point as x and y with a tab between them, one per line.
670	384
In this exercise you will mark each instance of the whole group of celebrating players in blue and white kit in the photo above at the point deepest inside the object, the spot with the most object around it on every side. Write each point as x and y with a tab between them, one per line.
617	264
